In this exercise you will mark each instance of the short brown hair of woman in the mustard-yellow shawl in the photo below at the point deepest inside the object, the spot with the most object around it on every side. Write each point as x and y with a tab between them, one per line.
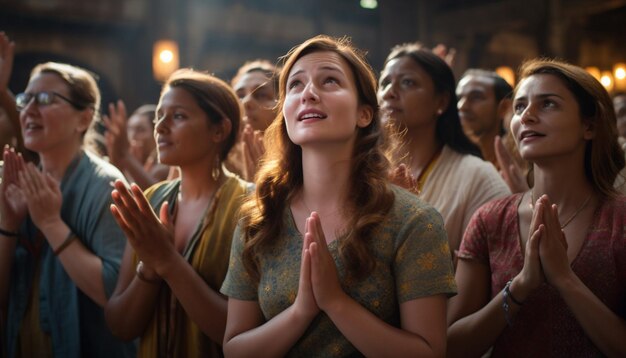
215	98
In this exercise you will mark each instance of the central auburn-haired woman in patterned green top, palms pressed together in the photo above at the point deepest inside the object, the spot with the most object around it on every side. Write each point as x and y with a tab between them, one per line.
330	259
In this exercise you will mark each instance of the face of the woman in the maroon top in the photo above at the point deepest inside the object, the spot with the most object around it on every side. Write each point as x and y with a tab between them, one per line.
546	122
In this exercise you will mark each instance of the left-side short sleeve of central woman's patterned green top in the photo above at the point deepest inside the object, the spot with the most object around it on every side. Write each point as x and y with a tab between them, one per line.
238	284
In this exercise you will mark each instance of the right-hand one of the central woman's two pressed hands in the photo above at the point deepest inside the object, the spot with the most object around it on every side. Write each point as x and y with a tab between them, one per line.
324	277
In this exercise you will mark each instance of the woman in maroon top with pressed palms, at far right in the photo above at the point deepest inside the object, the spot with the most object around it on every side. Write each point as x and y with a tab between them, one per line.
543	273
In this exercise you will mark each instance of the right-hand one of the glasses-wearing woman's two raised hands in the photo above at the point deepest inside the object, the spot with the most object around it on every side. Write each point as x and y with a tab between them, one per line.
43	196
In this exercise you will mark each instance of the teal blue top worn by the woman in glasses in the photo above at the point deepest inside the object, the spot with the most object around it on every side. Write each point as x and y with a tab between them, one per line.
75	323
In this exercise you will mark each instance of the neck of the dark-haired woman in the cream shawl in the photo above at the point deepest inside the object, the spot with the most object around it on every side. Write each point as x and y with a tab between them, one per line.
420	145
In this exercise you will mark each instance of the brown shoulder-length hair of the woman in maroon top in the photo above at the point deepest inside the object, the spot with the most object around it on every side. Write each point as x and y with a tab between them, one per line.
604	158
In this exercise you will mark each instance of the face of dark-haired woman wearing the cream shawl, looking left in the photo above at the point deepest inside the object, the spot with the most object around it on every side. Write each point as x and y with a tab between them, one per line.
407	95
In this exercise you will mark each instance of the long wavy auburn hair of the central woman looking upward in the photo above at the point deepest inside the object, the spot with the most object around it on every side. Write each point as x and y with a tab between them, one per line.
280	176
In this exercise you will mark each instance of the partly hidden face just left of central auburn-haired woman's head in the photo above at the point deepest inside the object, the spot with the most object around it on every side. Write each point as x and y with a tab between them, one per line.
256	93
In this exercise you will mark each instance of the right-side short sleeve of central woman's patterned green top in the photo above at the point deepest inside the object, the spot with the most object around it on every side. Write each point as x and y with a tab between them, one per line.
422	265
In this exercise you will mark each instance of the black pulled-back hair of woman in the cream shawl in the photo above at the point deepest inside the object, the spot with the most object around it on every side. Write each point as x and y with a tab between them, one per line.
448	129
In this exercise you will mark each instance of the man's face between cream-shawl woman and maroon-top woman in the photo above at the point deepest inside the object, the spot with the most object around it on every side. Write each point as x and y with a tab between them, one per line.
477	105
